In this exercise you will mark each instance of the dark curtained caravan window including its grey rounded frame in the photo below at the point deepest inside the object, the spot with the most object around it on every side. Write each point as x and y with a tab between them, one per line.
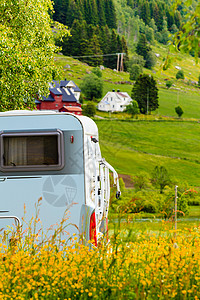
32	151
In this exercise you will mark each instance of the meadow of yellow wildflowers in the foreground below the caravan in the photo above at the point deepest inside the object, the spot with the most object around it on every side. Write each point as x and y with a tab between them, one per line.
139	266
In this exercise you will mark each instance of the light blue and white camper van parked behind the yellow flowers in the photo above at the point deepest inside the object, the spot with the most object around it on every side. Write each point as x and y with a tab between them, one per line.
54	157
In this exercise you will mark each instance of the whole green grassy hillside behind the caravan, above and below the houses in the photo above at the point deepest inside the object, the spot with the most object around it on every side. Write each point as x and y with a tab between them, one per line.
138	145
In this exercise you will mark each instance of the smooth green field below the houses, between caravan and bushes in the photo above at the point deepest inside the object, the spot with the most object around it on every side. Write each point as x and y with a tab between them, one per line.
141	145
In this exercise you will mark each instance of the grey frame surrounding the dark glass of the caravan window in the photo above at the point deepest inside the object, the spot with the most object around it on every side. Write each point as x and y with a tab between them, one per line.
38	167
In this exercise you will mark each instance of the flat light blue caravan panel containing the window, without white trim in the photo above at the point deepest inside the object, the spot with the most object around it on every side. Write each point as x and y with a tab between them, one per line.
61	189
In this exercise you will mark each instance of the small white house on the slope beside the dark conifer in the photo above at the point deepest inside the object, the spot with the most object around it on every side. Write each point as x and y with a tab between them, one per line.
114	101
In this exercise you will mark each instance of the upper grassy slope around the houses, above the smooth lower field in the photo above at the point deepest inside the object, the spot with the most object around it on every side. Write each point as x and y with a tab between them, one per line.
183	92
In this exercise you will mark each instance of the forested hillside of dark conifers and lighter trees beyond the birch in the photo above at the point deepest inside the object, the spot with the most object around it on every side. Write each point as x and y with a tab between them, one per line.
104	27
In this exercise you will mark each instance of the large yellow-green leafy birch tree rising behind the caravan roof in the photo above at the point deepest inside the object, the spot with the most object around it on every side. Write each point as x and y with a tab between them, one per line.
26	52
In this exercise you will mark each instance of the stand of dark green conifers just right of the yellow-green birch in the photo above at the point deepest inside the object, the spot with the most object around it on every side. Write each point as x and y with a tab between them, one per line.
93	26
